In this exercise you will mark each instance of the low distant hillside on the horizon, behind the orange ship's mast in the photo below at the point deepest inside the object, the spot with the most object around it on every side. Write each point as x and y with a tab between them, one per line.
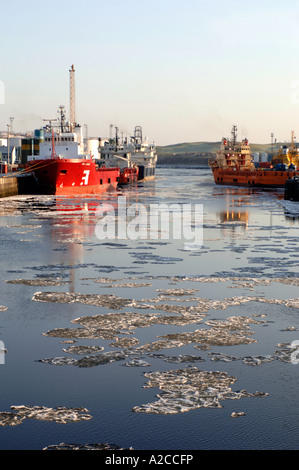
198	153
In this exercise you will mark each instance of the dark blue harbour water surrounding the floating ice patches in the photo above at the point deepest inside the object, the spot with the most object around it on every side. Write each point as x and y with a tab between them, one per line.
250	249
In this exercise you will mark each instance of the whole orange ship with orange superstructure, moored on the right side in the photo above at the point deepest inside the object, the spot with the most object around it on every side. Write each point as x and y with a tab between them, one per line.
234	166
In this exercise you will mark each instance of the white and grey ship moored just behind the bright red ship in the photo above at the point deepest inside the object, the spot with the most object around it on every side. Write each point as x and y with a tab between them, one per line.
136	158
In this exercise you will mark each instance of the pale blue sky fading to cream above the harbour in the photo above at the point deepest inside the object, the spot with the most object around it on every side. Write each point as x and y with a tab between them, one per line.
185	71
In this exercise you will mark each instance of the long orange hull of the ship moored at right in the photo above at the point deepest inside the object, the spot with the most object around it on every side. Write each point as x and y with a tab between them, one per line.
260	178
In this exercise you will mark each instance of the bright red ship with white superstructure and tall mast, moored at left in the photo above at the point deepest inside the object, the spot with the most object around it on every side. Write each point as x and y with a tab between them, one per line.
62	167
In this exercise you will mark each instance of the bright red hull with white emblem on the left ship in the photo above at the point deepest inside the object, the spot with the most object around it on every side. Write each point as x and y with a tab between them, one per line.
73	176
